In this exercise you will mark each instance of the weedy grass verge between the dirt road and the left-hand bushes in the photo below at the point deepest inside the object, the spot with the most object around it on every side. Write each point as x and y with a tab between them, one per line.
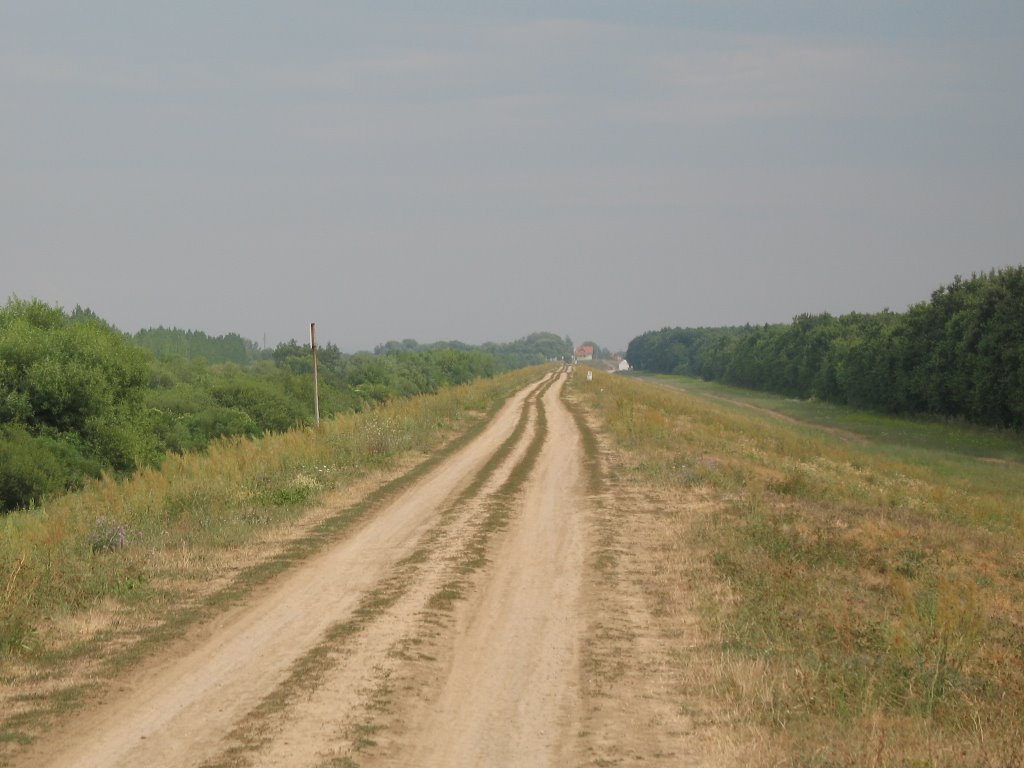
92	580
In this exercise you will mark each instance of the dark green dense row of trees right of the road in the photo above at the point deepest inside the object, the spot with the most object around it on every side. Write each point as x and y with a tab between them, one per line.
959	356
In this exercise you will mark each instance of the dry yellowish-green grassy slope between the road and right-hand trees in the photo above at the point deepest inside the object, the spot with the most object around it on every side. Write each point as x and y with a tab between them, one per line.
863	578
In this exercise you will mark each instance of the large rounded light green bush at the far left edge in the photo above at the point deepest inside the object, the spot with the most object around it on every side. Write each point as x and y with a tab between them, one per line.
71	401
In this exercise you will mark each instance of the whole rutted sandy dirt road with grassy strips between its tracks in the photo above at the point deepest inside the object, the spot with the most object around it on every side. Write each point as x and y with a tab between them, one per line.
447	630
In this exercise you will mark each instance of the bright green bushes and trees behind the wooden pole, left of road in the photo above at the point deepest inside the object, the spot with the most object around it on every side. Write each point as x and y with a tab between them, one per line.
78	398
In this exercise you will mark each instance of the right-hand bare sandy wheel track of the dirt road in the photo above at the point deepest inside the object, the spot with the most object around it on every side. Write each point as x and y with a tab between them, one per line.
510	691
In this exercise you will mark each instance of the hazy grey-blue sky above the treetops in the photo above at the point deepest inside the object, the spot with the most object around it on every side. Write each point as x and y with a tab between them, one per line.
478	170
